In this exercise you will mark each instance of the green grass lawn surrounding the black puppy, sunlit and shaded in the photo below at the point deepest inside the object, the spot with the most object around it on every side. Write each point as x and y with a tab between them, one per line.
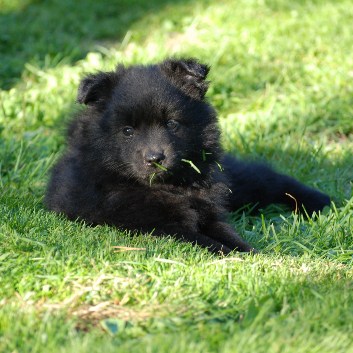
282	85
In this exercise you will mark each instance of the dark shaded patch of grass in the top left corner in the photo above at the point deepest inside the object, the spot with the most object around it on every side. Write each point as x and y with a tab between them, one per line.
47	32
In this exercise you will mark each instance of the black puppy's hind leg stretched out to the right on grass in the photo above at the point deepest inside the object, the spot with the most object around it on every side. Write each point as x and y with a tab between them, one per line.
254	183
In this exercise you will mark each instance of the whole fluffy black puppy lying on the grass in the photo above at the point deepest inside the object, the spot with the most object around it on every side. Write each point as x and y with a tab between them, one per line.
145	155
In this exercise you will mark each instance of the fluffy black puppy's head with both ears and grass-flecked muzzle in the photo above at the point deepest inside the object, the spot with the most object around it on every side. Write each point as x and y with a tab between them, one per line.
151	122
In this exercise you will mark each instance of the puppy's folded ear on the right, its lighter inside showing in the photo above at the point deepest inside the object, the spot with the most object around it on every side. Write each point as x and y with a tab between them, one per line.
187	74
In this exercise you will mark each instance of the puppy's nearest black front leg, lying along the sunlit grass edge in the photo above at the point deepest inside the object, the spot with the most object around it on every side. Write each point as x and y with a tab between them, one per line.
161	214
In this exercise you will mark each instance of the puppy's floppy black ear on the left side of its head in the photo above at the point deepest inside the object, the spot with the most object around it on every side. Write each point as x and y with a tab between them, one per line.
96	89
